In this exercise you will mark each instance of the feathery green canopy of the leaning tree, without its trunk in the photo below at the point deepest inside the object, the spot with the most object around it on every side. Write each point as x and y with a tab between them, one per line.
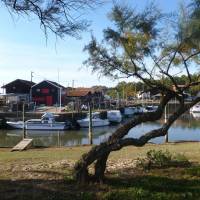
140	46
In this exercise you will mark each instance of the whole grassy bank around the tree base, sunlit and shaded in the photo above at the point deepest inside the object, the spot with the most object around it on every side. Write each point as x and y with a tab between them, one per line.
47	174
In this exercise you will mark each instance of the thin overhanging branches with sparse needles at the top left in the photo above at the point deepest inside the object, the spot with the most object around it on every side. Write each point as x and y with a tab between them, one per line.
62	17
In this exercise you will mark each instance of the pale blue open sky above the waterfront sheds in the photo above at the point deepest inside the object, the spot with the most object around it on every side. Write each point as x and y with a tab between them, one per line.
23	48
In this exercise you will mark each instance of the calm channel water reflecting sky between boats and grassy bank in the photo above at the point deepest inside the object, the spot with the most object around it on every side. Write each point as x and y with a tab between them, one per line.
187	128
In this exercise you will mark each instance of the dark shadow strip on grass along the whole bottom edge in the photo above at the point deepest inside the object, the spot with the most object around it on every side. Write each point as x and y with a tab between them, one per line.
66	188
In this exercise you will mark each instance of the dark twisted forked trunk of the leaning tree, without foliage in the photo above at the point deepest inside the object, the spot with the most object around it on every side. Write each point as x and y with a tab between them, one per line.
115	142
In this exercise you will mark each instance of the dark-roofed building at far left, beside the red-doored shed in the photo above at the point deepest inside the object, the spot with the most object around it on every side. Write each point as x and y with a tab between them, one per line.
17	91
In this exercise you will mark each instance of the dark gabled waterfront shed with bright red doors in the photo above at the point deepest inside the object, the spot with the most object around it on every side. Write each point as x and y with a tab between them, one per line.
48	93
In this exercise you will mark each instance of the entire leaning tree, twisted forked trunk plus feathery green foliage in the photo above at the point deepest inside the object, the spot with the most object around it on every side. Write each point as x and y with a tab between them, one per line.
151	47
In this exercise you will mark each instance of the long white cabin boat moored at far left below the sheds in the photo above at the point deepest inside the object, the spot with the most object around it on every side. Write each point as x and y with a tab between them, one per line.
47	122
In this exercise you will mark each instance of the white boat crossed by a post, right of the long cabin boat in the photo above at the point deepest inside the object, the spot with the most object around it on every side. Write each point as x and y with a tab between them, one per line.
96	121
